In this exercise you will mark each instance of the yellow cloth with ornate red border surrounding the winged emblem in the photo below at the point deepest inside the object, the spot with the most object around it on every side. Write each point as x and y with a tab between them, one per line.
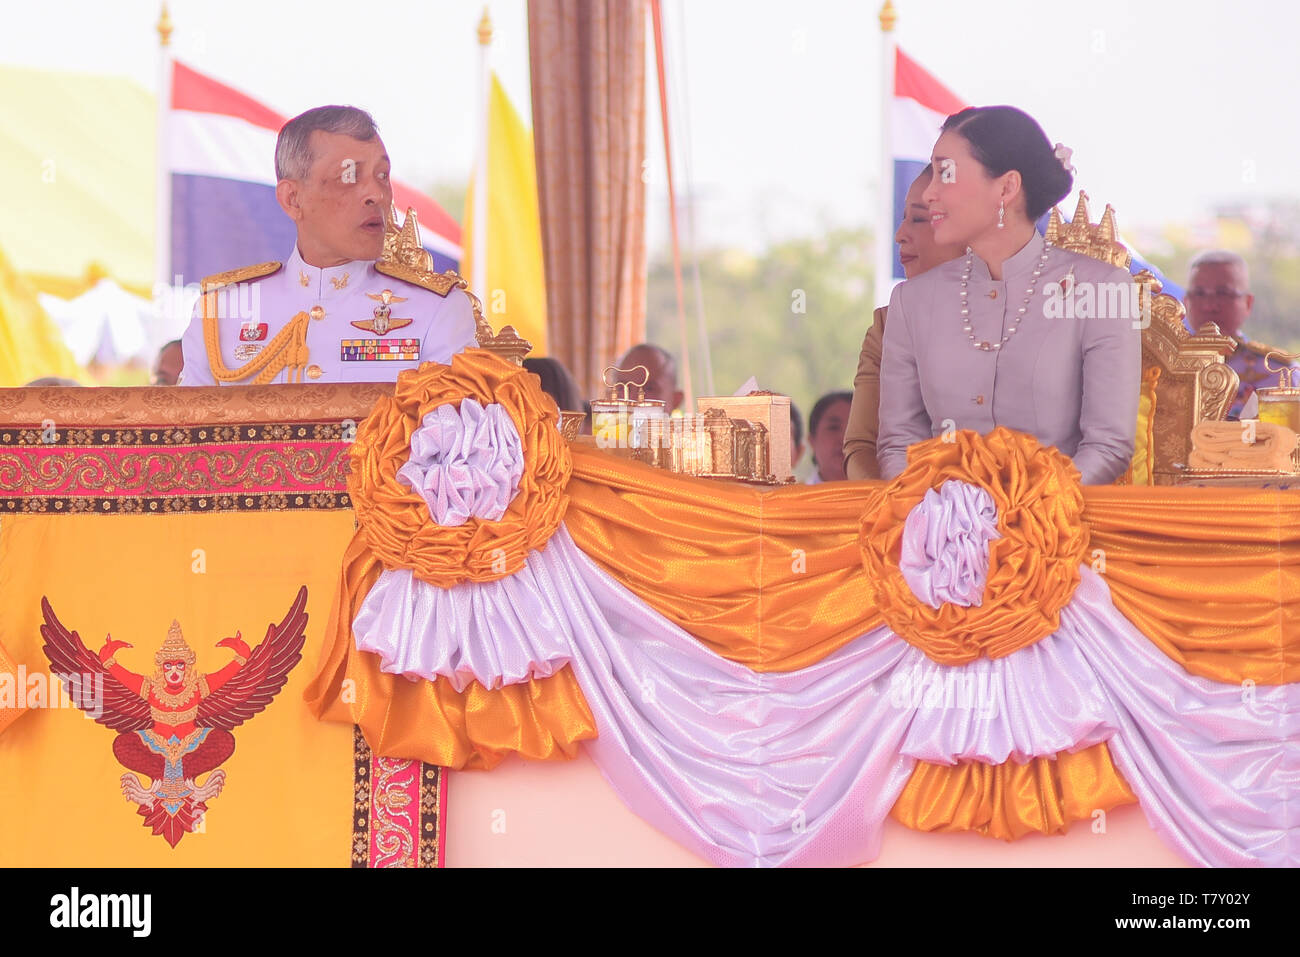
213	512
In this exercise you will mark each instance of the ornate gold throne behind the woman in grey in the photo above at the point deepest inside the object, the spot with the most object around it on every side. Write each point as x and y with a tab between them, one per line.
1185	378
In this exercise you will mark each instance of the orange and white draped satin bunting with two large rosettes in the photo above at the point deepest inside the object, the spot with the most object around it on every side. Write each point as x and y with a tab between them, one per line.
982	644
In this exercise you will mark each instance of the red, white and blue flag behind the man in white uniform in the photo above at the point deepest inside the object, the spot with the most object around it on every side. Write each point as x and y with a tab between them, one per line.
222	149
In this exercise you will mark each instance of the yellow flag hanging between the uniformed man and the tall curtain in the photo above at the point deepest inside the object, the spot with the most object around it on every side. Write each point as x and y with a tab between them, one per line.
515	291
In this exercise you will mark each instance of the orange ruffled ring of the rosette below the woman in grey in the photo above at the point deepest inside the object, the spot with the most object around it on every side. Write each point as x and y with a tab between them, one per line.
1033	568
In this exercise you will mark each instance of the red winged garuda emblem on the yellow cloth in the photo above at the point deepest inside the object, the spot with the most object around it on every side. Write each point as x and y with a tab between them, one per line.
175	726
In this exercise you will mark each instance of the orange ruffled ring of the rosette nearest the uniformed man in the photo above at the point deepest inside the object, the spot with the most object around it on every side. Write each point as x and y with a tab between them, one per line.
395	519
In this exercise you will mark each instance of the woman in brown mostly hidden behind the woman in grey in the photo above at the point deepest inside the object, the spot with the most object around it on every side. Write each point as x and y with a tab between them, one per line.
918	253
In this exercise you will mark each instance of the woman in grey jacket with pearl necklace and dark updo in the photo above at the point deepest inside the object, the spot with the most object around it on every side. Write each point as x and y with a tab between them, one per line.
1019	332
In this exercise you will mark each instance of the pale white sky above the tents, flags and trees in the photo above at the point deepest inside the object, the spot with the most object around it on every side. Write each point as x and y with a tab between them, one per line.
1171	107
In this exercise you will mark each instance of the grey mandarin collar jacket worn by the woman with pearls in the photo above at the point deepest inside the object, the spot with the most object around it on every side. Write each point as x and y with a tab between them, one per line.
1073	383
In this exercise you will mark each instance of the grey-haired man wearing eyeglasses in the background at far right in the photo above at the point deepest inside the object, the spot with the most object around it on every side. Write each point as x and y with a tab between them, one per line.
1219	291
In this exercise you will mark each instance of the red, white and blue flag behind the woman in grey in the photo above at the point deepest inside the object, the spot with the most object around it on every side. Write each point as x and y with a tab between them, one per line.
921	105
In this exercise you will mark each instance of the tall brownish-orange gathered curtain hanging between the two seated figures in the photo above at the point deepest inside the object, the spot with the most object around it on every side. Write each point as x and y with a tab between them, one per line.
588	80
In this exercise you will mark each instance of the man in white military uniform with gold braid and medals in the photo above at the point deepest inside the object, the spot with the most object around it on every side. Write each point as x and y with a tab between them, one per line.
331	314
